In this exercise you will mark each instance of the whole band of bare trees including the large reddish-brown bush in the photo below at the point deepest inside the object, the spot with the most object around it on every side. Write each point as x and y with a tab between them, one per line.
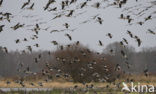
79	62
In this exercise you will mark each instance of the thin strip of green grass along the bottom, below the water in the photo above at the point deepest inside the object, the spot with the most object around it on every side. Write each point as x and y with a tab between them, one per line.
68	91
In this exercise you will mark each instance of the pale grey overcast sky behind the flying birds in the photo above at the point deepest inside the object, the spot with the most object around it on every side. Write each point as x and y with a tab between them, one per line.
88	33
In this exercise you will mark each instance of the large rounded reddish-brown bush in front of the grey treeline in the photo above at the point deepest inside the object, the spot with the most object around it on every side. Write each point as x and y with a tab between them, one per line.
82	64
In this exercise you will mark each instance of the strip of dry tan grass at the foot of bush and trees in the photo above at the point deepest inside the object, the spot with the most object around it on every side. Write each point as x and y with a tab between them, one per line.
151	80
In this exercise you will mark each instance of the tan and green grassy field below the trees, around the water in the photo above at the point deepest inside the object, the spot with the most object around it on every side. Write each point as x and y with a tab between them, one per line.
63	87
